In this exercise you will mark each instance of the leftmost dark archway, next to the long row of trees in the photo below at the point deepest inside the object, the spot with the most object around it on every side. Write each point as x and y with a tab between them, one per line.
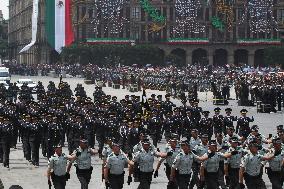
177	57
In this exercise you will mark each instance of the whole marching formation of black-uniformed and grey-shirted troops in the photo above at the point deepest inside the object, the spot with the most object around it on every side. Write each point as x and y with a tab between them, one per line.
202	150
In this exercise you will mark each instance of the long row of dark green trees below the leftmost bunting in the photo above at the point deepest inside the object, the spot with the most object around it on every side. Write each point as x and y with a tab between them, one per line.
112	54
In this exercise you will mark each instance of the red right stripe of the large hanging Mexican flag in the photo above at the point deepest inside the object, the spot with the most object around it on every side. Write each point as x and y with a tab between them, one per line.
69	37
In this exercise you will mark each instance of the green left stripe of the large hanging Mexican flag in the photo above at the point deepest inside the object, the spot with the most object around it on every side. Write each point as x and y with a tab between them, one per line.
50	17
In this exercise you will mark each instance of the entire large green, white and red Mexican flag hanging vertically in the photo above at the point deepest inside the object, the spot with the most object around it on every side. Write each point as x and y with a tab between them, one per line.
59	23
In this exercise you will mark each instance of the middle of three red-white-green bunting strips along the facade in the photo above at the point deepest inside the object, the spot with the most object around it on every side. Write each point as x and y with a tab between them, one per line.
189	41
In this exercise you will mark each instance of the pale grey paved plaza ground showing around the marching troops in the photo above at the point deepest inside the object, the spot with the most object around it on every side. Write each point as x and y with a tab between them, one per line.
34	178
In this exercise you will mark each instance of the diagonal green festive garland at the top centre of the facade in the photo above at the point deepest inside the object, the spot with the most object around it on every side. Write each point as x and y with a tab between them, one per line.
152	11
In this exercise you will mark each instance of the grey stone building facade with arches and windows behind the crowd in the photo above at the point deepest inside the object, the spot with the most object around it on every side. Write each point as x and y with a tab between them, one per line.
239	46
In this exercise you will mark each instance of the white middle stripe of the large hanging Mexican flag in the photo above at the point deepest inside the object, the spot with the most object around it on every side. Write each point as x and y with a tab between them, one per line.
59	26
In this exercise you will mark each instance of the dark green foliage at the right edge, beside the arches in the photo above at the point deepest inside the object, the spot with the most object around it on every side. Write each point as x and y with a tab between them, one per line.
274	56
